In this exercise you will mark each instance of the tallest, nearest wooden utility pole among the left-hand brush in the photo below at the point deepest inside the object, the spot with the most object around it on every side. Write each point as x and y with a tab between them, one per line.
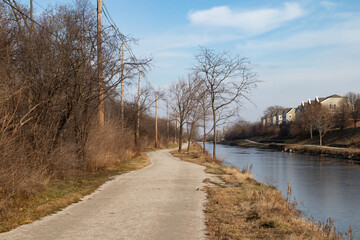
99	62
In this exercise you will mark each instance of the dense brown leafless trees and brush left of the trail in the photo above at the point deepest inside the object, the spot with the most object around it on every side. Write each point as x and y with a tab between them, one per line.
49	97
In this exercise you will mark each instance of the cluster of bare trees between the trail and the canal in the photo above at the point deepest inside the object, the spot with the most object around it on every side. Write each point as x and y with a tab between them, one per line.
211	93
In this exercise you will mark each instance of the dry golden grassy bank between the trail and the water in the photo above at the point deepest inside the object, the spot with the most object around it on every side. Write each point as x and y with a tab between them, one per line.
242	208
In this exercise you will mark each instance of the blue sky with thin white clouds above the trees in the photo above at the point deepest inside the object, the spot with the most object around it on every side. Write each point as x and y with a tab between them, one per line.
299	49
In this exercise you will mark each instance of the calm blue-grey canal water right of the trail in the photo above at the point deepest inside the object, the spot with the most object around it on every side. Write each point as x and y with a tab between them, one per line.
324	187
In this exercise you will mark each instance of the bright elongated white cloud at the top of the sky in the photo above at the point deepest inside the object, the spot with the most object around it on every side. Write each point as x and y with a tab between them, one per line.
253	21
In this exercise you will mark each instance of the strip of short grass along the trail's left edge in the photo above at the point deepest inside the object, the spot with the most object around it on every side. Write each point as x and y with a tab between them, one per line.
60	193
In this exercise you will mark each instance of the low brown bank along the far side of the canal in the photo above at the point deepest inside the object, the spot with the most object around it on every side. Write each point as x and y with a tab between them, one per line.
349	154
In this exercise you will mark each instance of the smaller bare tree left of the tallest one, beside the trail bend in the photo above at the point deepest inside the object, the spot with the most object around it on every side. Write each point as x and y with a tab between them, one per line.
184	94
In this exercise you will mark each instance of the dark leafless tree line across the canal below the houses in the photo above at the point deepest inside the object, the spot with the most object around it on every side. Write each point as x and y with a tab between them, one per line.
312	118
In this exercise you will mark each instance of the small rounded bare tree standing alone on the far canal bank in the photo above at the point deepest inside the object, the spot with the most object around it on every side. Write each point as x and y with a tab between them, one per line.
324	122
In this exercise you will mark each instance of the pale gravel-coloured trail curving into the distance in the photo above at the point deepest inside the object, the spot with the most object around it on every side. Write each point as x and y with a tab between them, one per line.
160	201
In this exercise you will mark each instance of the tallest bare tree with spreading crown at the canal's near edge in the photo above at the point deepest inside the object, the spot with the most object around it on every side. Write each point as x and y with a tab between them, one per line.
228	80
